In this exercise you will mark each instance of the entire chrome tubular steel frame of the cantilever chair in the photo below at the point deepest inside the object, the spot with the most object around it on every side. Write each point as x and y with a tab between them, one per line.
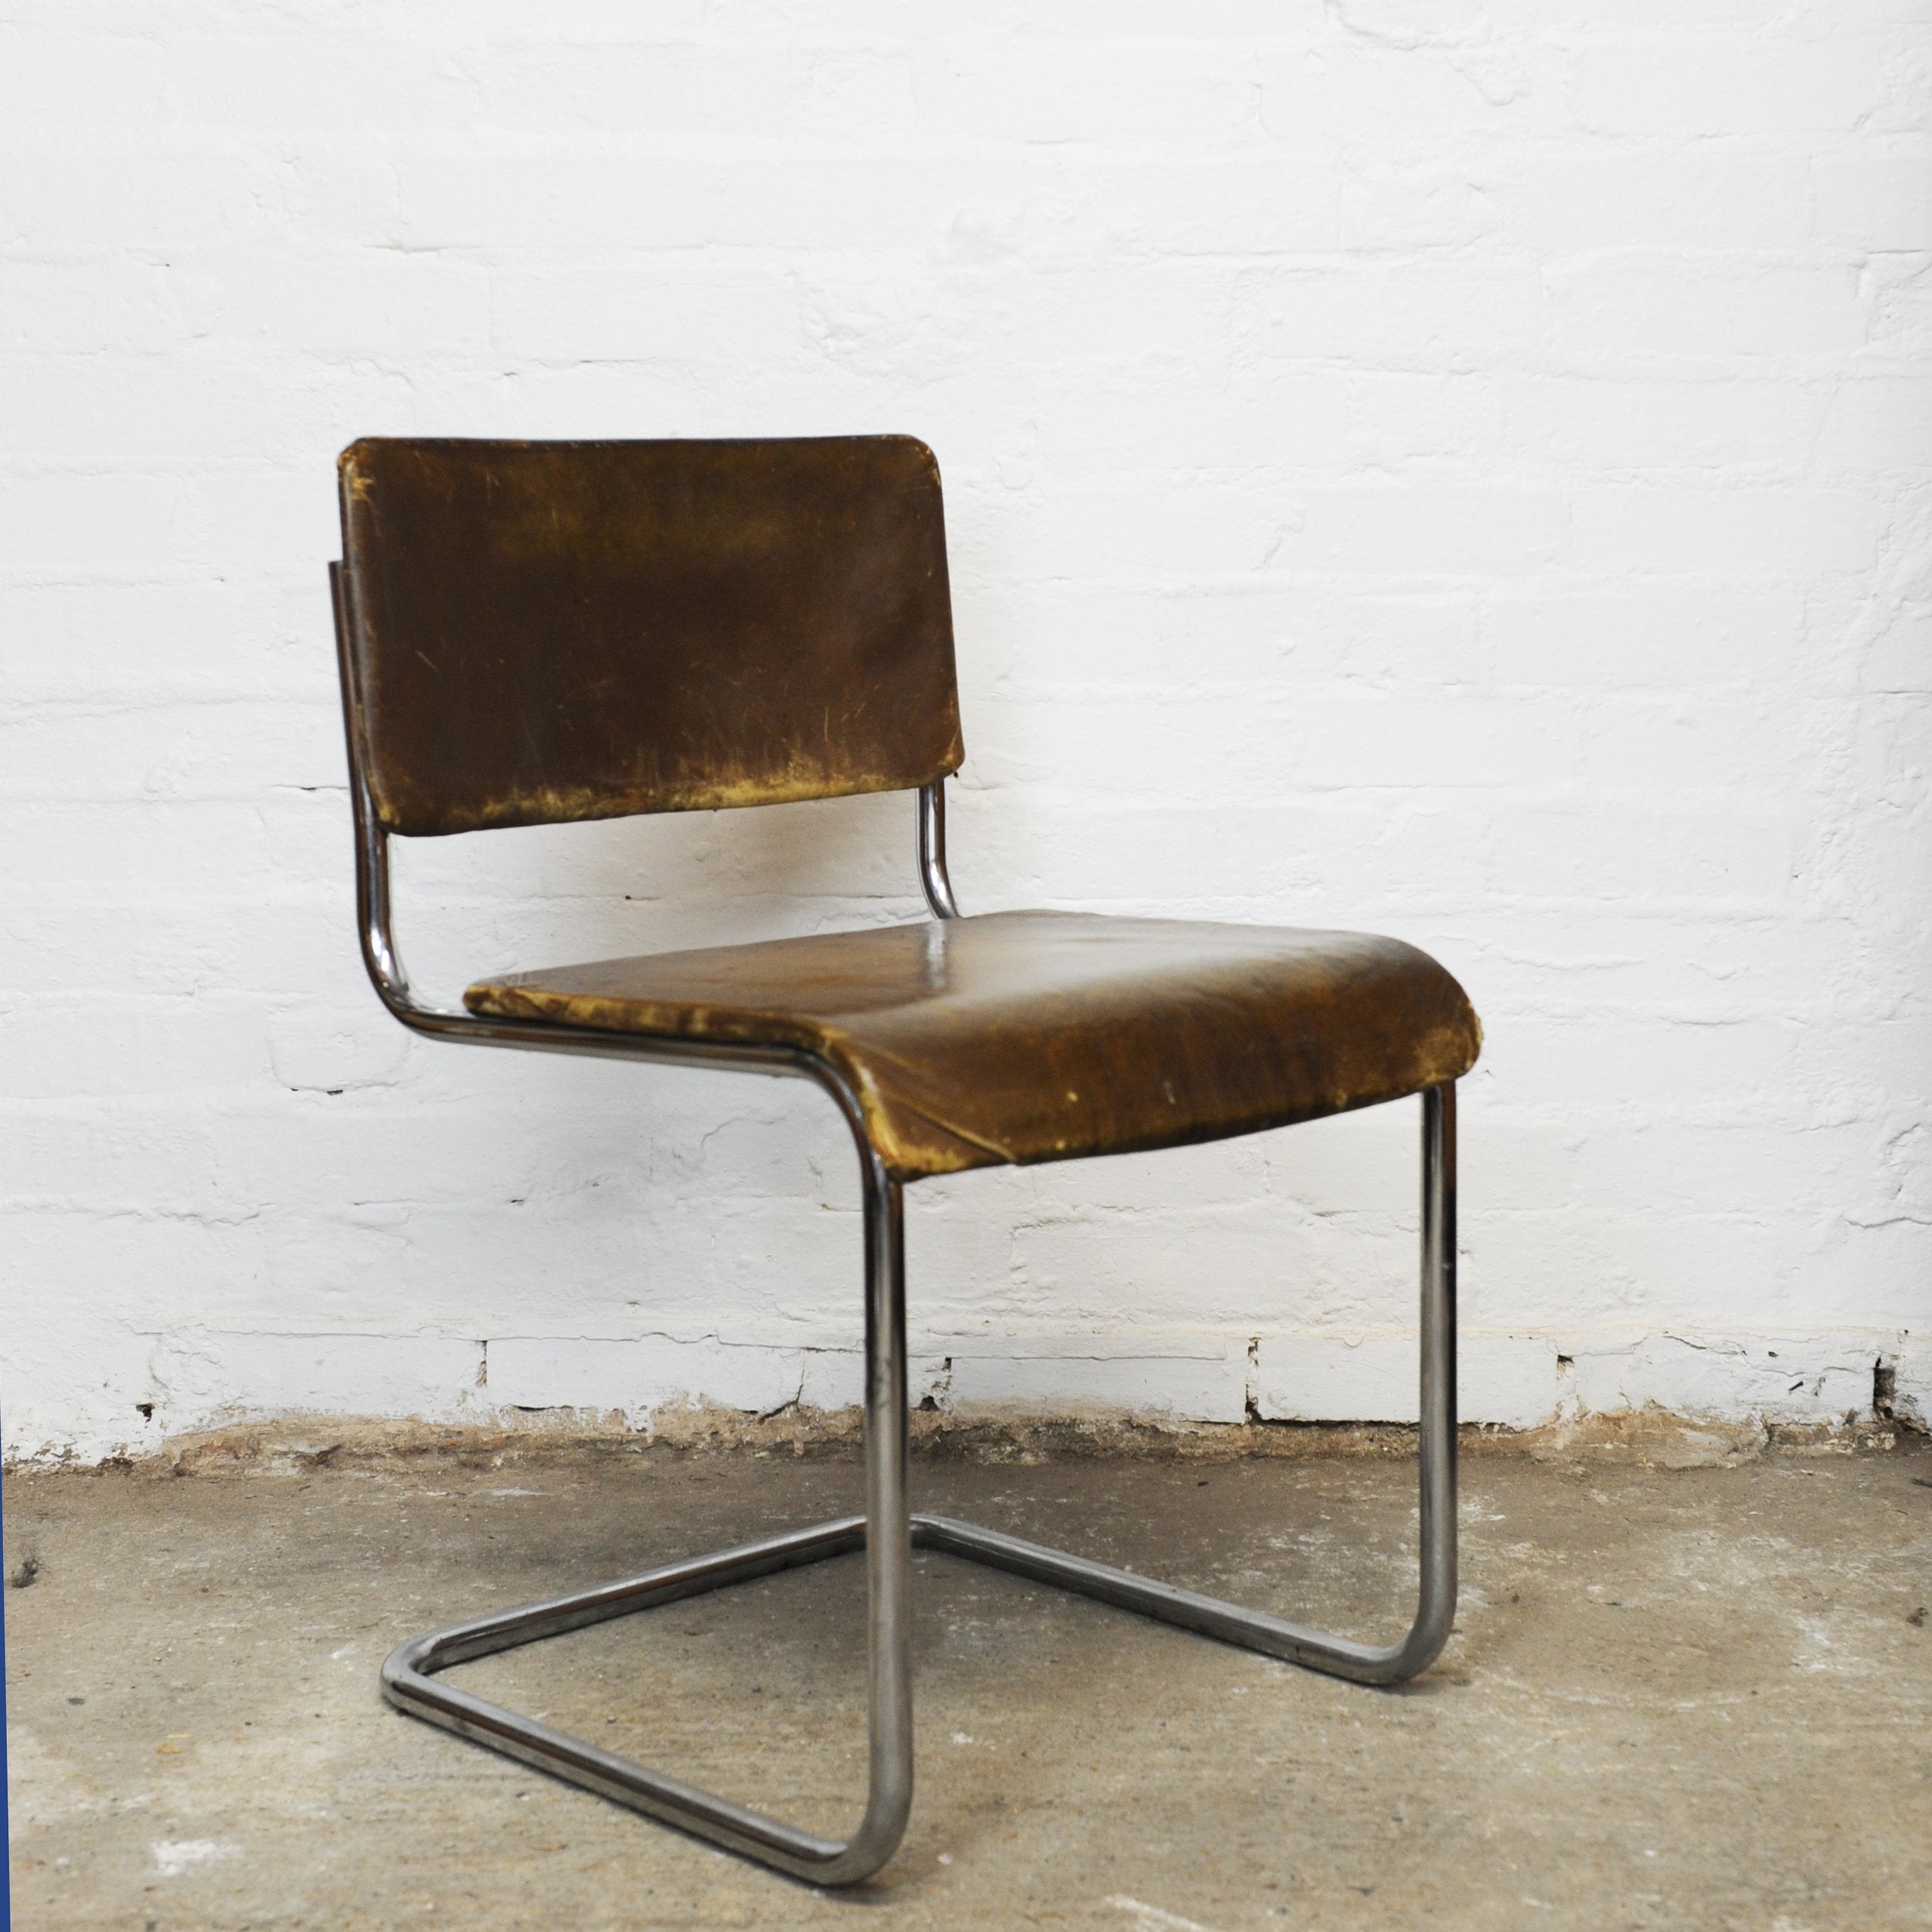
890	1531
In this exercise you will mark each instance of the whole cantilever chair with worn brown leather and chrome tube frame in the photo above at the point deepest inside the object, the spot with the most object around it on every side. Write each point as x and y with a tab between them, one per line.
569	631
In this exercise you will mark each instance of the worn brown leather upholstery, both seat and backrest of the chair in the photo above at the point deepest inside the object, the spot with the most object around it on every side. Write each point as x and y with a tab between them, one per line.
563	631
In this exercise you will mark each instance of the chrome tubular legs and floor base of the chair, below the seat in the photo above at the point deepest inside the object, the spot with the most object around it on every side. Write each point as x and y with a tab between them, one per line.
888	1533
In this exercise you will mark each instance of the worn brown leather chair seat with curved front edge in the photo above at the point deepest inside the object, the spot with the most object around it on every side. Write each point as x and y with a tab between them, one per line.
1046	1037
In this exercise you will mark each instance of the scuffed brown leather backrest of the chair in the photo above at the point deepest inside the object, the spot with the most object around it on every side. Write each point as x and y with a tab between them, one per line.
579	631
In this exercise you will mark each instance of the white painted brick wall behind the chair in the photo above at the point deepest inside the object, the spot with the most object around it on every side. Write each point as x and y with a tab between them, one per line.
1438	467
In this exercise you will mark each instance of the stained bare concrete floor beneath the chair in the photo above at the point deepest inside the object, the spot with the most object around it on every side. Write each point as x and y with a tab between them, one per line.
1678	1697
